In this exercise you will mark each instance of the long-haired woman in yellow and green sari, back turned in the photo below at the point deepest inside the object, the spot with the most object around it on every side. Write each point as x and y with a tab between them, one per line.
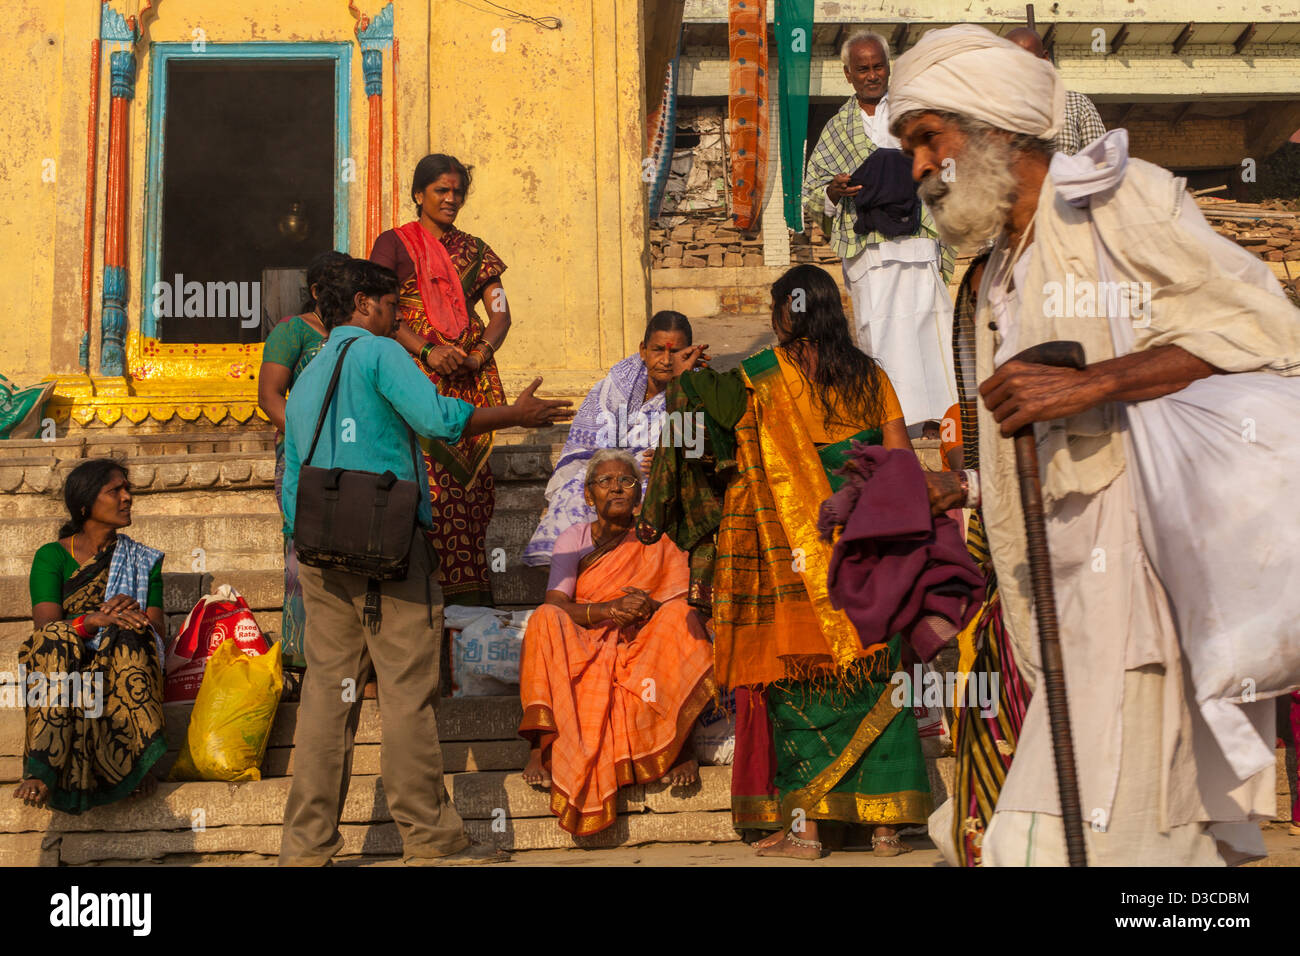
818	737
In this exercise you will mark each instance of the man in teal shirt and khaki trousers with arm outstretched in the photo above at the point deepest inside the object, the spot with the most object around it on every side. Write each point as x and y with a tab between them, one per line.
380	395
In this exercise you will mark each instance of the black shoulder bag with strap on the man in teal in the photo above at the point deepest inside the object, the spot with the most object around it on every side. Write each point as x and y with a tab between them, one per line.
358	522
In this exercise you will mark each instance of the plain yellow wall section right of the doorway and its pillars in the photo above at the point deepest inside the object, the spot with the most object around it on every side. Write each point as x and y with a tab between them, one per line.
553	126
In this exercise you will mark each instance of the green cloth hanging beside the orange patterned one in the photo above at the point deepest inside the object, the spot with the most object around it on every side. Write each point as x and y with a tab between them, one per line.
794	29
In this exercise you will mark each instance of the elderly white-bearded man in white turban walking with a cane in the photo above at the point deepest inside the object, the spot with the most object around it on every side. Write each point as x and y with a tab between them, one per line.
1165	464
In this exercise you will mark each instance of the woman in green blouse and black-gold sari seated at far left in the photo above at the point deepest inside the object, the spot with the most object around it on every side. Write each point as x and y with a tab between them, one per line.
92	673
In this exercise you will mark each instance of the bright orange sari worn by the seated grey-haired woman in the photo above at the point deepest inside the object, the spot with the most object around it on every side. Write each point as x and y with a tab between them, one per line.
612	707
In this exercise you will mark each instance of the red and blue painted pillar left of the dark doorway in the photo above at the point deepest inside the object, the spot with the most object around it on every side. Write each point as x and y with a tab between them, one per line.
112	357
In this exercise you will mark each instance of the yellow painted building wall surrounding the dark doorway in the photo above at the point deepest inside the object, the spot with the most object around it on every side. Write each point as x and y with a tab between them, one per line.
553	126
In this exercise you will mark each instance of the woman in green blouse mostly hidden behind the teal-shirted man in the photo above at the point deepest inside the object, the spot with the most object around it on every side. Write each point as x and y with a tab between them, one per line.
289	349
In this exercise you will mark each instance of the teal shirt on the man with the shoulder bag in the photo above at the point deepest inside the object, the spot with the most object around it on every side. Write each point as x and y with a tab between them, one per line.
380	393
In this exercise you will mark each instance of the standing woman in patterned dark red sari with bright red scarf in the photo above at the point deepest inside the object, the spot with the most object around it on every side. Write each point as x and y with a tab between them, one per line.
444	275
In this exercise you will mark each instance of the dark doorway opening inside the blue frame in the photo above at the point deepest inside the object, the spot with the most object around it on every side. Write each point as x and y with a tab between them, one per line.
249	188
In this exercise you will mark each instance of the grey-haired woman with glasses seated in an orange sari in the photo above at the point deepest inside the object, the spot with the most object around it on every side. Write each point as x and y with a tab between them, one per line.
617	665
